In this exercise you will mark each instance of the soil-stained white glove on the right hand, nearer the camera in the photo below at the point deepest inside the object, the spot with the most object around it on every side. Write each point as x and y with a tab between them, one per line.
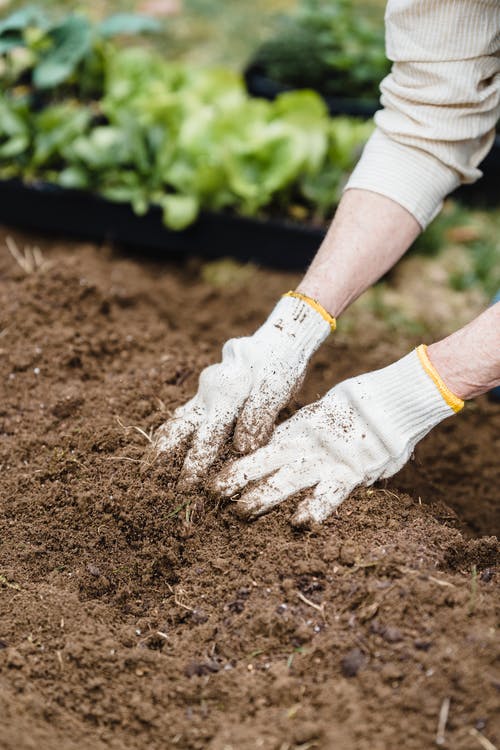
364	429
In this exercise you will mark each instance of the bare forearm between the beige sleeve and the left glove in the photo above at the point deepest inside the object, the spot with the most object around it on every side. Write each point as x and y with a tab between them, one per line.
368	235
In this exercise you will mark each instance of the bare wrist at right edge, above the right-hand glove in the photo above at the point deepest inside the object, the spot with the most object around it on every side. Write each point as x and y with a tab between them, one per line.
469	359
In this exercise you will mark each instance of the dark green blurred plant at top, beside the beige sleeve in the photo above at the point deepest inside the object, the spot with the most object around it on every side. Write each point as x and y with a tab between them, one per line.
328	45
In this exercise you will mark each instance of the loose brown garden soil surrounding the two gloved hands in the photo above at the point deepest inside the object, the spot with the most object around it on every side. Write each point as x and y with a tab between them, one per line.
132	616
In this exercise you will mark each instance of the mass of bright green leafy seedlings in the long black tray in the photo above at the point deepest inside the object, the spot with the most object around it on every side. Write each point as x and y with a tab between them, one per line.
174	135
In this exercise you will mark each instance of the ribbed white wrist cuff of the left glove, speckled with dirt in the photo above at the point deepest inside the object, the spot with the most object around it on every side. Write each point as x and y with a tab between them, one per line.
304	328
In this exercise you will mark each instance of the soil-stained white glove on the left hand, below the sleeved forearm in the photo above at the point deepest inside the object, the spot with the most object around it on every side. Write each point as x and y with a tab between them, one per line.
257	377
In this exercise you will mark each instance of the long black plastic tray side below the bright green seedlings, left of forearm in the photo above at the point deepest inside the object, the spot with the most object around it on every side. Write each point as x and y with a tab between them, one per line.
84	215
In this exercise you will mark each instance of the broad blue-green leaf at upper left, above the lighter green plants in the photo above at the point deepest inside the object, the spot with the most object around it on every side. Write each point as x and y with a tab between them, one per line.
71	41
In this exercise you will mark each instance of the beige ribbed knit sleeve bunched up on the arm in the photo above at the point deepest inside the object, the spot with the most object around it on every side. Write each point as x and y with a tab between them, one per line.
440	102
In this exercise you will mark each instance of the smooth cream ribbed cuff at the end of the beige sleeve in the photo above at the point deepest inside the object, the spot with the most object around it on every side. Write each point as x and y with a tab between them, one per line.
406	174
